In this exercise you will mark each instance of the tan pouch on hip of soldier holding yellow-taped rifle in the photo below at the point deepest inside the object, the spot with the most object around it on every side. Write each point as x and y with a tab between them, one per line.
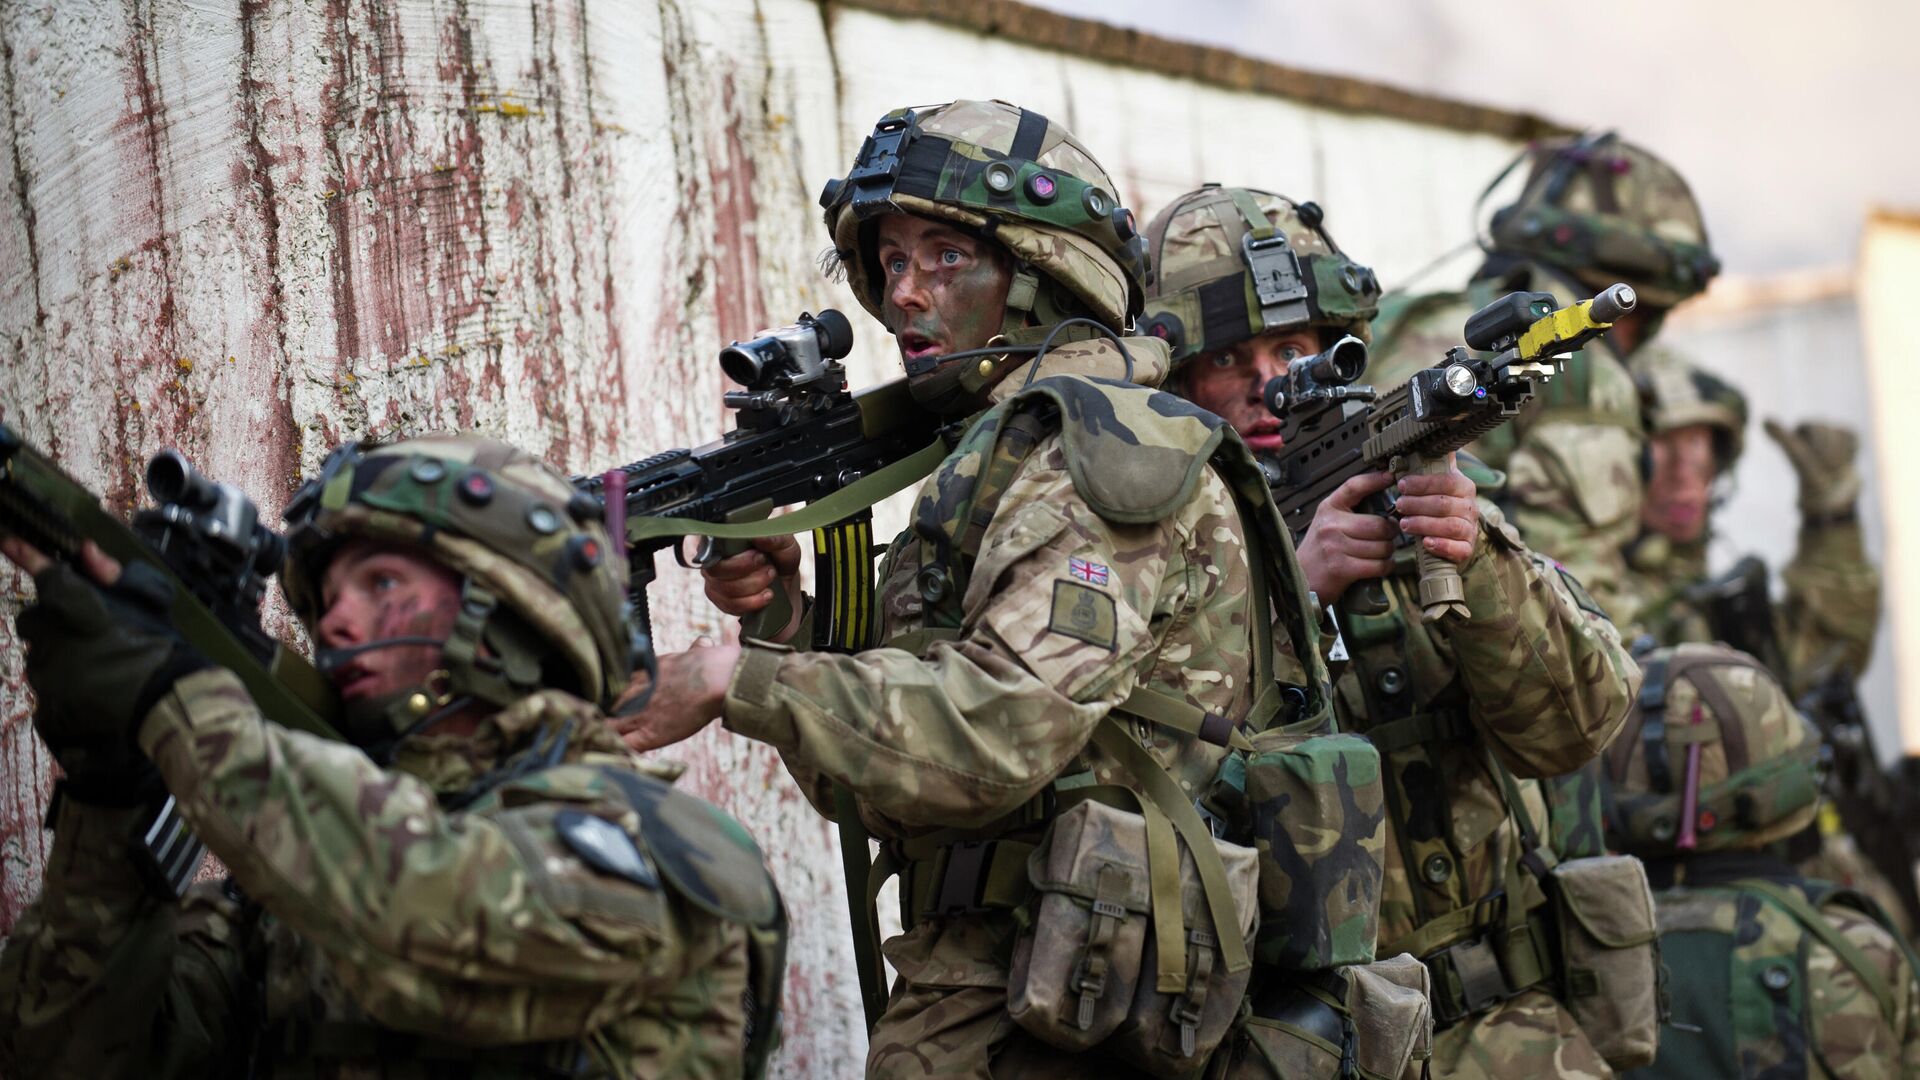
1610	956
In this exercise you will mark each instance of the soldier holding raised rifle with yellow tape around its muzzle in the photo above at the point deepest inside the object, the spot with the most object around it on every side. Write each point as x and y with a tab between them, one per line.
1462	724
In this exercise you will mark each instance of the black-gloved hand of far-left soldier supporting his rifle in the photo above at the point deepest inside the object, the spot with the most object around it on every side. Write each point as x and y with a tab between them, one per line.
99	658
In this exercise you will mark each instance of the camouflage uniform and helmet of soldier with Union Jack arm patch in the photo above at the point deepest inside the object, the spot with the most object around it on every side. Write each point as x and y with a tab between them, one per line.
1049	574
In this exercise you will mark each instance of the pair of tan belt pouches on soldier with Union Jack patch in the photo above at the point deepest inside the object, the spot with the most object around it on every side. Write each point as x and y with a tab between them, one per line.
1120	950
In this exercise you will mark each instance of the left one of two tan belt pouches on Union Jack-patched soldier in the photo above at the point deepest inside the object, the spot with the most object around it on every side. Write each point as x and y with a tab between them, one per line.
1078	964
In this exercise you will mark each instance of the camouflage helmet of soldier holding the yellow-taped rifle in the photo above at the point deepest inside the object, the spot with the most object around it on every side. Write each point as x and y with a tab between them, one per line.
1230	264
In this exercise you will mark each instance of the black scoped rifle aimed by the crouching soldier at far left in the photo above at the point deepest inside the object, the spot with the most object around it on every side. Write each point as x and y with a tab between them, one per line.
208	543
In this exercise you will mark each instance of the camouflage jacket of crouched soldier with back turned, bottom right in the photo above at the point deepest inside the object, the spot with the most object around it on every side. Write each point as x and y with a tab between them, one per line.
1758	994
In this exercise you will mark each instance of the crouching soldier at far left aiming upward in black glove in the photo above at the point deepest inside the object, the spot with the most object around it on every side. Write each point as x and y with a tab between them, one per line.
485	885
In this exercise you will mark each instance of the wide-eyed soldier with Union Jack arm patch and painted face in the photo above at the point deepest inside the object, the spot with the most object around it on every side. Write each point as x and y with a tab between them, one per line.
1076	614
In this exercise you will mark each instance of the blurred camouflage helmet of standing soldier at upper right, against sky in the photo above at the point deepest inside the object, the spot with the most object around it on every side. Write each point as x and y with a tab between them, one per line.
1606	210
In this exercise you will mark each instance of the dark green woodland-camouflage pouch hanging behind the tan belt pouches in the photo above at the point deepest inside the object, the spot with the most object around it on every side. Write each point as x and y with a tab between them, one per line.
1320	825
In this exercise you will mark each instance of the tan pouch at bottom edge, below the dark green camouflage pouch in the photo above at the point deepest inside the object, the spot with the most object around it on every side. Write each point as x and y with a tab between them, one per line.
1368	1021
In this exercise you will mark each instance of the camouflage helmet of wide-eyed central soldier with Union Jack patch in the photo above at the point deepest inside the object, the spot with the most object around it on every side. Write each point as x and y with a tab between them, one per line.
1013	176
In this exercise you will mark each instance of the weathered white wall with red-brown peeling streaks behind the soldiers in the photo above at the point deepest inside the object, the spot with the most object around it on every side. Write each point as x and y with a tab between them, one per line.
256	230
